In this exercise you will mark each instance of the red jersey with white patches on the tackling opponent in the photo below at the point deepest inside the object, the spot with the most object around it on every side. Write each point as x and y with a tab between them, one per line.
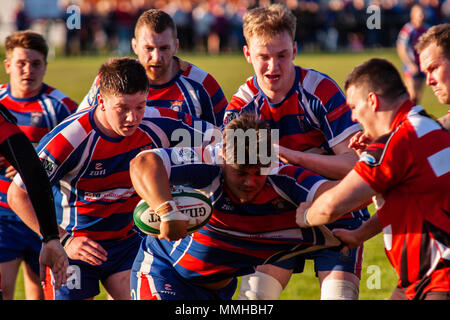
410	168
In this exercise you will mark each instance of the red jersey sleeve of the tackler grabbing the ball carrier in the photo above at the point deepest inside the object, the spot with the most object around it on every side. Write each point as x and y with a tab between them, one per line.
385	162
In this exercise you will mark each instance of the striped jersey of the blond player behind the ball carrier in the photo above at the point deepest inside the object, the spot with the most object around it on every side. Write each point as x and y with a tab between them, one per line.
314	112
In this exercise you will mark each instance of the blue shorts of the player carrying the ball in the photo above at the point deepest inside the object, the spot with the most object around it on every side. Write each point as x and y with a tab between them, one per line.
154	278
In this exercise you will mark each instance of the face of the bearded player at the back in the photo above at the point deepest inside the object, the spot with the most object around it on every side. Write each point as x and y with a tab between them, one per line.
155	52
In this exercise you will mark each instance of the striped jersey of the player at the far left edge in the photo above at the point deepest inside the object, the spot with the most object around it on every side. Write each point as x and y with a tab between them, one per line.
36	117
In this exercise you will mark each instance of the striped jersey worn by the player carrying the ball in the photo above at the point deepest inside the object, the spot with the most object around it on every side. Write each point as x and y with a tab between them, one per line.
238	236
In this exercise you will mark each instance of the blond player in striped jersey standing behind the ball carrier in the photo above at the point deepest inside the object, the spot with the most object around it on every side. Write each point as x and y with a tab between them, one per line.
309	110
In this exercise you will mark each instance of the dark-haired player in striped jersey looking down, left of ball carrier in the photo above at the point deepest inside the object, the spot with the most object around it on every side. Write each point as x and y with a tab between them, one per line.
87	160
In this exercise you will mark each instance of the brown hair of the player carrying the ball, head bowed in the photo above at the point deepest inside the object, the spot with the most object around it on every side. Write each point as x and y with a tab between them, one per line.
237	146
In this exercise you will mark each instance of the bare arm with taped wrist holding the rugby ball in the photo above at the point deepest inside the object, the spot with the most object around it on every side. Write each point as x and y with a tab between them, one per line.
150	180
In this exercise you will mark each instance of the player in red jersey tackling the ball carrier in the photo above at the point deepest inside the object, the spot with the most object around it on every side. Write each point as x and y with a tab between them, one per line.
406	168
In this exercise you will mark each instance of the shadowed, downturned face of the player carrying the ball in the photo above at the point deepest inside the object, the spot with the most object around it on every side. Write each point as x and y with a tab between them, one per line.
244	184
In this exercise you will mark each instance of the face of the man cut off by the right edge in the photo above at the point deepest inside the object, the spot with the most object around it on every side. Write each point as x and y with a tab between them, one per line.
437	69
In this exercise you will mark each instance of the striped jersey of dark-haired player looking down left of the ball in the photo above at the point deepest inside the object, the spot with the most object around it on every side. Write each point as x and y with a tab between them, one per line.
89	170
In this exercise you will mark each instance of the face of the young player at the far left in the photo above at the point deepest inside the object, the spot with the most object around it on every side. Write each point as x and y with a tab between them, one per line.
26	69
